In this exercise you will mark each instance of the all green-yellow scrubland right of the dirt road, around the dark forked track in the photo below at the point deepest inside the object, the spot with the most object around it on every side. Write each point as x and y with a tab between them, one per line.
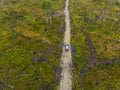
101	20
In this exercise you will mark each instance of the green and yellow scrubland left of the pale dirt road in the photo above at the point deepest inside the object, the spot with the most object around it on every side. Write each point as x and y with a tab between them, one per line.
25	37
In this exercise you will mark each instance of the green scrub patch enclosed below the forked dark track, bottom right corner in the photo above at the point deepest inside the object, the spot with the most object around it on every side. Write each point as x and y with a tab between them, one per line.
103	77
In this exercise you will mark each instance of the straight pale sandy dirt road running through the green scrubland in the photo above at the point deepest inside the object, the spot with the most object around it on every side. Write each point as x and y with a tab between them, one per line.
66	60
